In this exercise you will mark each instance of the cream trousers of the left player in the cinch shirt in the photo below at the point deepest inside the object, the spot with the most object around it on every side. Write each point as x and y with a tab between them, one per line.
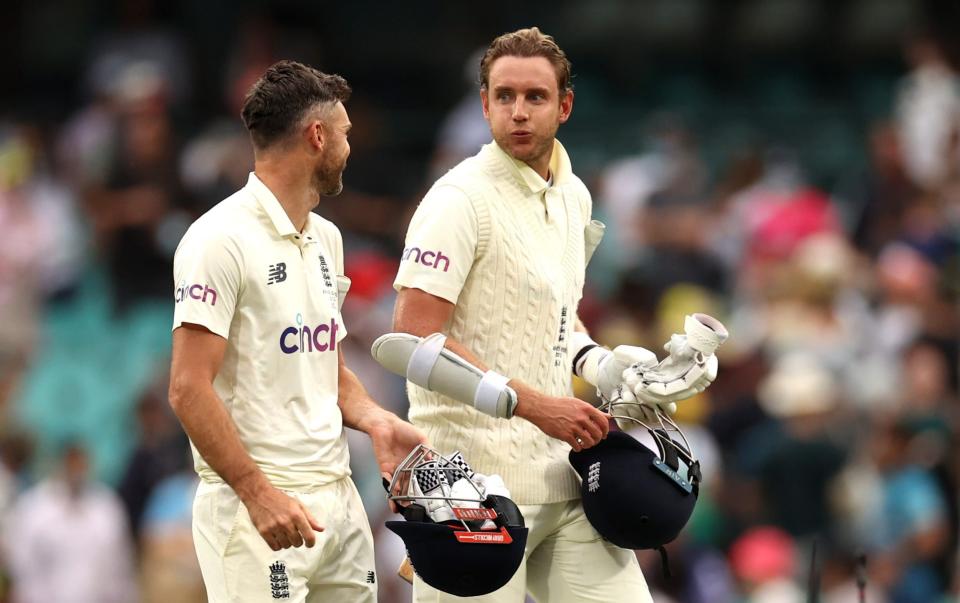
238	565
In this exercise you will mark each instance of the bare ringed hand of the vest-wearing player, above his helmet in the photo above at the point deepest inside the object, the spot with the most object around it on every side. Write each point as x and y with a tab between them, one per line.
569	419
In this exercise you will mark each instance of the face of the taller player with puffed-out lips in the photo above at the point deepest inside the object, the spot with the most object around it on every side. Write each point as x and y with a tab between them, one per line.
523	104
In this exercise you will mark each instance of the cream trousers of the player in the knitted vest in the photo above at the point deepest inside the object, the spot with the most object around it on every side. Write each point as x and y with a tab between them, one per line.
566	561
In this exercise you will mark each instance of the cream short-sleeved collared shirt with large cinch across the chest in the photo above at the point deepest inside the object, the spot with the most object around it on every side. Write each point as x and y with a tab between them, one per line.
245	273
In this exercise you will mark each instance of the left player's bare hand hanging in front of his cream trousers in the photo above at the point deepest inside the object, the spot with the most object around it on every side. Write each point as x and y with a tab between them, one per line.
282	520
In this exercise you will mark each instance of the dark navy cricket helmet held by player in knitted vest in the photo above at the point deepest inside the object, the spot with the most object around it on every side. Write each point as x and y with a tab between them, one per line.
634	496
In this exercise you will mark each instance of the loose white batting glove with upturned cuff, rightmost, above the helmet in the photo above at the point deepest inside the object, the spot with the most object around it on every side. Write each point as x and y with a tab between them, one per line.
690	367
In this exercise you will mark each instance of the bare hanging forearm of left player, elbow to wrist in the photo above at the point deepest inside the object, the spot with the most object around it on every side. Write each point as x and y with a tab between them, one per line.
212	431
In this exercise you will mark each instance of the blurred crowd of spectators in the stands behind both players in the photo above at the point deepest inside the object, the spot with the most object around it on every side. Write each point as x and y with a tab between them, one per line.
828	442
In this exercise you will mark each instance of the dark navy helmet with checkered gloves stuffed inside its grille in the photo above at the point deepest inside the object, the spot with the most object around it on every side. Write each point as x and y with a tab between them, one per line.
459	539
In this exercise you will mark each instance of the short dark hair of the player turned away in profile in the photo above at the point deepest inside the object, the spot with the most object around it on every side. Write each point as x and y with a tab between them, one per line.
279	100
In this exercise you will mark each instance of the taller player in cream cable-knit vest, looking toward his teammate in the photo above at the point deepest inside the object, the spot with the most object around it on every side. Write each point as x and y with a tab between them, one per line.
495	260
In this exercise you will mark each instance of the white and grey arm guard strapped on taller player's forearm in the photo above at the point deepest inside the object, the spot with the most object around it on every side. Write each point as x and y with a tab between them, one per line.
425	362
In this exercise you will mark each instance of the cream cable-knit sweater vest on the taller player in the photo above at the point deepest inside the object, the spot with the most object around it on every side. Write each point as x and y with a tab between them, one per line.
516	311
